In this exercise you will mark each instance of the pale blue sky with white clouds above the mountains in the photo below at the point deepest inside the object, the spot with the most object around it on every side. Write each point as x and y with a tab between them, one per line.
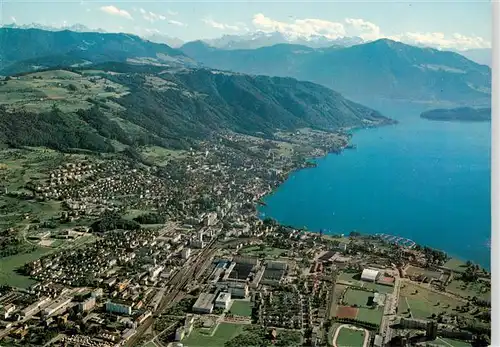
442	24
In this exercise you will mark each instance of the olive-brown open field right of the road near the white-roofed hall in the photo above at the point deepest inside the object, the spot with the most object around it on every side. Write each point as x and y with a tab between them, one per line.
423	302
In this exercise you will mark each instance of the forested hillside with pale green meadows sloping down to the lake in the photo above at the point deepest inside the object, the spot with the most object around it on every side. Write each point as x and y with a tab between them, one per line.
164	106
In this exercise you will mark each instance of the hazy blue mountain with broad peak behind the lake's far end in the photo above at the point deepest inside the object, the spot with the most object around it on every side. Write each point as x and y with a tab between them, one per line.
380	69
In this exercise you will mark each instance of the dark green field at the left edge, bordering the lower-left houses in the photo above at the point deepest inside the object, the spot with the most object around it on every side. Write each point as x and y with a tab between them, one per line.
8	274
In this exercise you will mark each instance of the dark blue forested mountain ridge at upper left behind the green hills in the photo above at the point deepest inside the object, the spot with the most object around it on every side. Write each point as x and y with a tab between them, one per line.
33	49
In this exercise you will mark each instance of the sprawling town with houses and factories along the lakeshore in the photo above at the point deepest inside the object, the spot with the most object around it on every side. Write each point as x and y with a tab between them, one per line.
176	254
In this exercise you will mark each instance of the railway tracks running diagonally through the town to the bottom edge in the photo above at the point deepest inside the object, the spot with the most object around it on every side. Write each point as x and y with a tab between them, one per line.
191	270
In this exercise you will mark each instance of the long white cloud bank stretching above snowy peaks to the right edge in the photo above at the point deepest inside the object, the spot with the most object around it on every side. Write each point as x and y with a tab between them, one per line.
368	31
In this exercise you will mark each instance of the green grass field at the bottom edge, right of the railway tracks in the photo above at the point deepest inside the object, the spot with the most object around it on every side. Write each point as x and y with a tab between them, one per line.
224	333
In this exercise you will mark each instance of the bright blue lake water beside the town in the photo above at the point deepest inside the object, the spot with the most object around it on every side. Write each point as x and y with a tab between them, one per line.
425	180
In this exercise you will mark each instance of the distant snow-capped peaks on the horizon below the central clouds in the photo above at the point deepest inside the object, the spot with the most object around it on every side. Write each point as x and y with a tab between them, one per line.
260	39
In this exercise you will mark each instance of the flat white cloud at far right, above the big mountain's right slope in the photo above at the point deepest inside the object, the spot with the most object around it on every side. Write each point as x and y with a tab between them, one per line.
442	41
